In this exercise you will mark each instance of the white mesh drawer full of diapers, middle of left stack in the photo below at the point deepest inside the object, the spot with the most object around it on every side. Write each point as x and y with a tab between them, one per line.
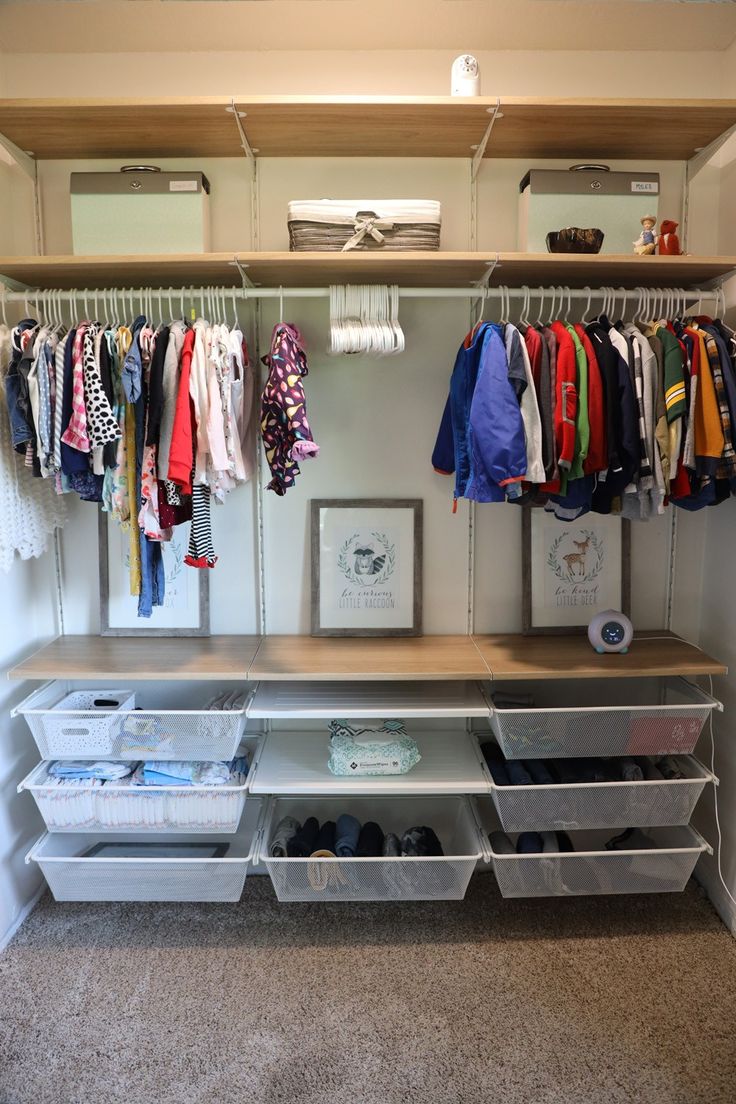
134	809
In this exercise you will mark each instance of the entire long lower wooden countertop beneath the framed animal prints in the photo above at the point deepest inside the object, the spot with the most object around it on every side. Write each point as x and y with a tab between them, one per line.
327	660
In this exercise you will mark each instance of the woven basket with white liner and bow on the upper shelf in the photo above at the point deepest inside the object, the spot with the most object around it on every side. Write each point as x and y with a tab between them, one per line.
365	225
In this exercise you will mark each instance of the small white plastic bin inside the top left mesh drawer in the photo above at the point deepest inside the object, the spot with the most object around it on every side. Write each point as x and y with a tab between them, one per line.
73	719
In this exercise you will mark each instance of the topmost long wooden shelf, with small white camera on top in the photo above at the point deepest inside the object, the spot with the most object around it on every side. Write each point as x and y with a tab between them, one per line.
366	126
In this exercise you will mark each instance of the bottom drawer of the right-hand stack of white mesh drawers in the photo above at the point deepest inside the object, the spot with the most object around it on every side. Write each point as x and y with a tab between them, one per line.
592	871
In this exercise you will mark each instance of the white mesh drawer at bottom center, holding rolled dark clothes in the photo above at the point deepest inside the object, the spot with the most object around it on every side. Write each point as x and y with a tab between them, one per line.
387	879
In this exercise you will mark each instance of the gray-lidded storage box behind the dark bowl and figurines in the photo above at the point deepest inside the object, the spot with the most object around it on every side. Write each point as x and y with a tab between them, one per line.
588	197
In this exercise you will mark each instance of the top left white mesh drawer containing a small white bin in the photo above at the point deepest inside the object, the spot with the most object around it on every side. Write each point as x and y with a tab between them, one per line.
172	725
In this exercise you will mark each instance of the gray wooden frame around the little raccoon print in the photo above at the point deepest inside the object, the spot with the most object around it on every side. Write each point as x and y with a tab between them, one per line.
383	504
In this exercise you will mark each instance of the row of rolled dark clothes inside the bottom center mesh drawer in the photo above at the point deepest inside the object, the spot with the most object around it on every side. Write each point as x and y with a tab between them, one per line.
348	840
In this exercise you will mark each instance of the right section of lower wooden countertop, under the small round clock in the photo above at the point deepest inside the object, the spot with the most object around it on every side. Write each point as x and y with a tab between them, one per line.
571	657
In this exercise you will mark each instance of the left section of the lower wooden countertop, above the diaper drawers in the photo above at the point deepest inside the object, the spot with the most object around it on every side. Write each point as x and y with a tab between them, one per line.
121	659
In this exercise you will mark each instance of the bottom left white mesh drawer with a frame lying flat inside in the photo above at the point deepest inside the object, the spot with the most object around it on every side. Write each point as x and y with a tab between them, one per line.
76	875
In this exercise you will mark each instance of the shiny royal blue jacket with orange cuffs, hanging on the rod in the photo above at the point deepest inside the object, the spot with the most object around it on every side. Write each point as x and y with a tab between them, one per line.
482	434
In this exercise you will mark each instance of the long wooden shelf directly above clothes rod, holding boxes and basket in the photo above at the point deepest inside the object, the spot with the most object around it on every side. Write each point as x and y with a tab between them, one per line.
408	270
